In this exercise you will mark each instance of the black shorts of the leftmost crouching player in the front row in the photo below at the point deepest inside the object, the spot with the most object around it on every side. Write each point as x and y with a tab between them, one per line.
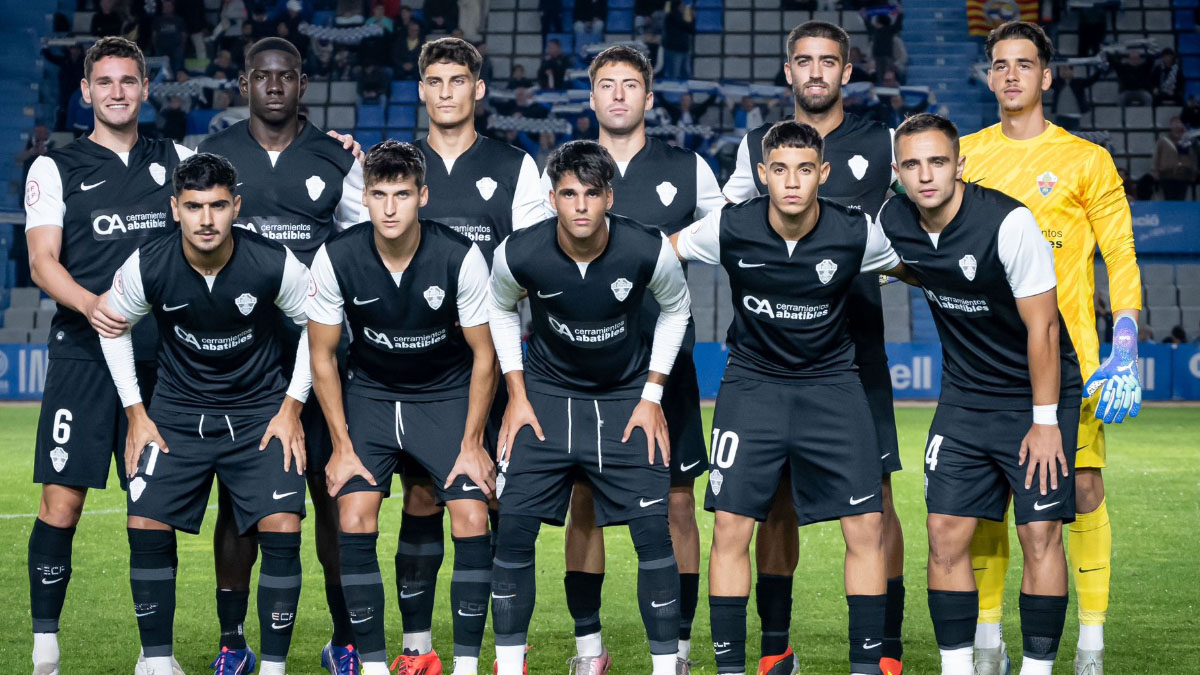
175	487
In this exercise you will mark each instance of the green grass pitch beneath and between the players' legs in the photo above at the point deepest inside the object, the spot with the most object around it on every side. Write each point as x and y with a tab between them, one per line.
1154	486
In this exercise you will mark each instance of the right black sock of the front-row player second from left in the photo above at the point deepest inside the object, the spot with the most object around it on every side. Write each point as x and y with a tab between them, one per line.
469	593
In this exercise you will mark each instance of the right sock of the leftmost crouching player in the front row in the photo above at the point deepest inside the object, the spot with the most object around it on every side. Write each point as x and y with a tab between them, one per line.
279	593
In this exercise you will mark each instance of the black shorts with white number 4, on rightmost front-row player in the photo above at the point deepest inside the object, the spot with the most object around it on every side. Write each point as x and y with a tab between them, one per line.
971	465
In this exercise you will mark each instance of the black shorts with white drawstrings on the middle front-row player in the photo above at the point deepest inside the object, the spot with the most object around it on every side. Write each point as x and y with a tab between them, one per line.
583	444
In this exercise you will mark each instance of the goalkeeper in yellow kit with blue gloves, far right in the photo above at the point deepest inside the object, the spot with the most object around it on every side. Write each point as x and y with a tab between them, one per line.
1077	196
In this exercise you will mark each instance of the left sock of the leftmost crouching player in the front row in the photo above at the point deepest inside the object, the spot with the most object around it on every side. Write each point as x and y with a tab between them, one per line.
153	582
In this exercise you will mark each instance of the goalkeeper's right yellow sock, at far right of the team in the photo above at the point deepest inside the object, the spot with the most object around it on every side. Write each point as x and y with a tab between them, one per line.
1090	545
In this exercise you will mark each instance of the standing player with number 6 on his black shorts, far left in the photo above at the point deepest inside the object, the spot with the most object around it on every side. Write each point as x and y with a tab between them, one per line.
88	206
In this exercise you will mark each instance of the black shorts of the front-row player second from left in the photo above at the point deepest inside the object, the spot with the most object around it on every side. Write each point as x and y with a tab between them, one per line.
425	434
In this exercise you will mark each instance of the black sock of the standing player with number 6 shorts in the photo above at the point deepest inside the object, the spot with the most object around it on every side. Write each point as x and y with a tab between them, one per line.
50	572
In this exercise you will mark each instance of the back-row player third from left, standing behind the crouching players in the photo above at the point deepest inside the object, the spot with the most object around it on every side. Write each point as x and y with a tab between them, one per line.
483	189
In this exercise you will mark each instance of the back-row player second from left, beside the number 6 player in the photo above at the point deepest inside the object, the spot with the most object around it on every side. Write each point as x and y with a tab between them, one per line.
299	188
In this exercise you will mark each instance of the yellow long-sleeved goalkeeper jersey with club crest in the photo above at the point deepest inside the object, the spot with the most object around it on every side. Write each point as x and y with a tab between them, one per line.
1075	192
